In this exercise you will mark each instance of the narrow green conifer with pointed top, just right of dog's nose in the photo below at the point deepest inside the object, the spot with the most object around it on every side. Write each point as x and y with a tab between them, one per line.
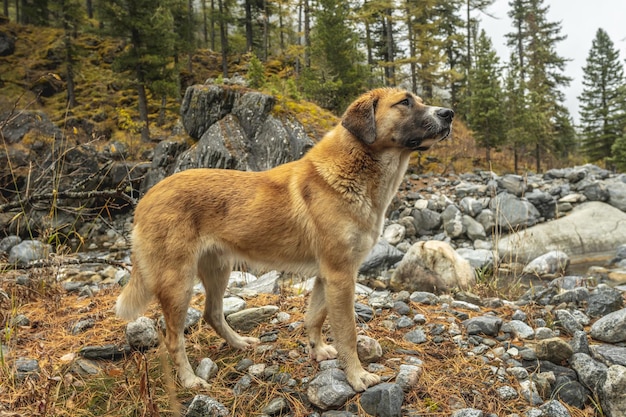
485	116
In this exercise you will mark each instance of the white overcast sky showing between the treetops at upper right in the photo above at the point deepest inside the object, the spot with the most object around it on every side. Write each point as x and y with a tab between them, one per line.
580	19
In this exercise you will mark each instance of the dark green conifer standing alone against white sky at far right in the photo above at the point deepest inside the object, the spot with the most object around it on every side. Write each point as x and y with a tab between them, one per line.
601	112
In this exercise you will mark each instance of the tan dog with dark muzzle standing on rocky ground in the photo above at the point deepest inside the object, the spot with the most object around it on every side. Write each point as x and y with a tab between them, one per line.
319	215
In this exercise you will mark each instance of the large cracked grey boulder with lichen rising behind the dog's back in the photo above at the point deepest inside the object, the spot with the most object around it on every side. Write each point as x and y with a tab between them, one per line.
236	130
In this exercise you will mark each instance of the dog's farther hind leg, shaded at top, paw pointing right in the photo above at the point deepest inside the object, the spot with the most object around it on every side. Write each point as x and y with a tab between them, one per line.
214	273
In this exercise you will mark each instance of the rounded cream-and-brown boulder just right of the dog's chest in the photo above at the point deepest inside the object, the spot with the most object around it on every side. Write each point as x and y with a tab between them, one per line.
432	266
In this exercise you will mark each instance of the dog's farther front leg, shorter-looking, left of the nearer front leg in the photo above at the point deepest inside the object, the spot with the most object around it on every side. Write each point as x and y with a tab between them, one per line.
313	321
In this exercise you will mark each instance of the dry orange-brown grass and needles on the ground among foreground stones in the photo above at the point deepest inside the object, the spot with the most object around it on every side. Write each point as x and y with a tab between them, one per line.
142	384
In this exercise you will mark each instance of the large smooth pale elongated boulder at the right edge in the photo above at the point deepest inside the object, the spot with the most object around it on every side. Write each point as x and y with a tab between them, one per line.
592	227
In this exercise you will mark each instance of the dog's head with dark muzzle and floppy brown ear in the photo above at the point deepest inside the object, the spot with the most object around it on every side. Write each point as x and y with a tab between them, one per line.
397	118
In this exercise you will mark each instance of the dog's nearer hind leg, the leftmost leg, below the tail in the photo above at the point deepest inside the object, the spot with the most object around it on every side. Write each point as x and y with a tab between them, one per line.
175	302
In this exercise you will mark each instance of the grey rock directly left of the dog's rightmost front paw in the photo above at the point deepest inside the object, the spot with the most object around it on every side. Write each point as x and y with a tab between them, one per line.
329	389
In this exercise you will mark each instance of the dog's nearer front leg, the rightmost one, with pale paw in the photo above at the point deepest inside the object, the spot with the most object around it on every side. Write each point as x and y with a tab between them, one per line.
339	292
